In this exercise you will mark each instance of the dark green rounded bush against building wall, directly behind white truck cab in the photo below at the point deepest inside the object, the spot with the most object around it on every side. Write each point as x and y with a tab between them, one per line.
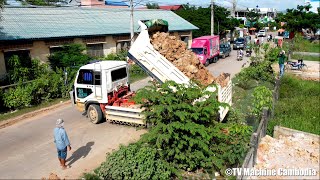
69	56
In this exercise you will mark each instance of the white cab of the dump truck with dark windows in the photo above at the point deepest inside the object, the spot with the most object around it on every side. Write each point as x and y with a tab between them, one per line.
100	83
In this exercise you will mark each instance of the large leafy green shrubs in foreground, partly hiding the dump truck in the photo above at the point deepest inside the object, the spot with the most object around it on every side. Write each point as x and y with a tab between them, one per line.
185	136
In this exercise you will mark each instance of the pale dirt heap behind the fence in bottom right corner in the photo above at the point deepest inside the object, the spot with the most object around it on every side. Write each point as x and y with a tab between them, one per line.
293	152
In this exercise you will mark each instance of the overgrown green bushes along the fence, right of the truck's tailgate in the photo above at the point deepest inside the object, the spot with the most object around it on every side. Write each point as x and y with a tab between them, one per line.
253	87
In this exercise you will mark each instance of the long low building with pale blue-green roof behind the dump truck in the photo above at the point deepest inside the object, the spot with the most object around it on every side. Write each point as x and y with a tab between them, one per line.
38	32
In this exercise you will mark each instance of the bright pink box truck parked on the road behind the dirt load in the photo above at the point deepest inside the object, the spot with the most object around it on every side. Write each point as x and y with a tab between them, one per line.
206	48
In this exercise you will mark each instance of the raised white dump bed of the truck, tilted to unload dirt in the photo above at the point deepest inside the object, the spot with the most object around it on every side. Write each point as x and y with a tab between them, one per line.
158	67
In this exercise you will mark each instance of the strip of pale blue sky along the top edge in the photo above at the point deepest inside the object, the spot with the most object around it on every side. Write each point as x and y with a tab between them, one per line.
278	4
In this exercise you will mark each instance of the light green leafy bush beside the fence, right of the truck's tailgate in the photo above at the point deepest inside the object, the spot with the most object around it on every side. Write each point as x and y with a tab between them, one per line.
262	97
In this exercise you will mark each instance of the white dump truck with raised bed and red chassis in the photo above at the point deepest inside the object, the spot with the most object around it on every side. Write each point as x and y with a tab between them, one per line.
102	89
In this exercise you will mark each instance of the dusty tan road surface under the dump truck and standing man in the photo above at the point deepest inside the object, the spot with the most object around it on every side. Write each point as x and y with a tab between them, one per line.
28	151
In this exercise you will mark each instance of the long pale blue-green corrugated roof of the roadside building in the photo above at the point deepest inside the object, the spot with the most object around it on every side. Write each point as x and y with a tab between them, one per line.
43	23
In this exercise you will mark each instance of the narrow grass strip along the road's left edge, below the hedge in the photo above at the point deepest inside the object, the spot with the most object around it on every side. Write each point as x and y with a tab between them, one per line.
19	112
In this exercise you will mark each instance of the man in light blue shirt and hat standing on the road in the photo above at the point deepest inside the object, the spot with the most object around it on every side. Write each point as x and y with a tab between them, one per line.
62	142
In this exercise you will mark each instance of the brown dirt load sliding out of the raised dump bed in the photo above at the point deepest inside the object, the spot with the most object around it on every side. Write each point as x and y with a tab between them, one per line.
185	60
